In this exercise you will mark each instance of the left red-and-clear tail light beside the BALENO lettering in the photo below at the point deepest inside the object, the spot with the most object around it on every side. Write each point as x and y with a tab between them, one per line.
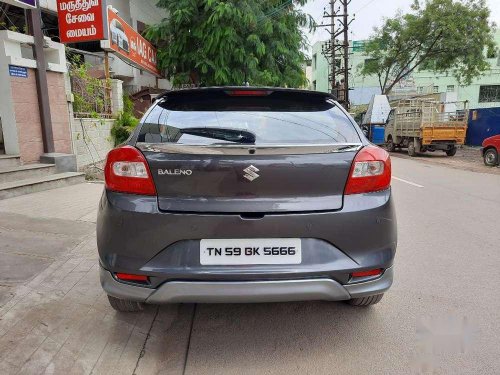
127	171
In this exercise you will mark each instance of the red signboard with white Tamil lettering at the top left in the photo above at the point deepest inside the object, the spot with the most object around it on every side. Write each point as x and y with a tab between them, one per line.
81	20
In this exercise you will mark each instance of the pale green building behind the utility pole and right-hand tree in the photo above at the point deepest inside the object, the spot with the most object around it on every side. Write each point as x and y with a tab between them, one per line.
483	92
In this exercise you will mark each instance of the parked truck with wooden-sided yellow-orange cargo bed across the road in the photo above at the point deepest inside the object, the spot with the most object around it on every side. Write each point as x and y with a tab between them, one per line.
425	124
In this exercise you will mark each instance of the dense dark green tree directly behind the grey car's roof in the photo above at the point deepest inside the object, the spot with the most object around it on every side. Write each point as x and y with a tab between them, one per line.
217	42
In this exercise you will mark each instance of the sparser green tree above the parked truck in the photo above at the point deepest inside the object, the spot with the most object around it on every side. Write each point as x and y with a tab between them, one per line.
438	35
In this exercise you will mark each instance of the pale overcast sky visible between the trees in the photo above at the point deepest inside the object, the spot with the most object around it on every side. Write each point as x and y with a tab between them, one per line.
370	13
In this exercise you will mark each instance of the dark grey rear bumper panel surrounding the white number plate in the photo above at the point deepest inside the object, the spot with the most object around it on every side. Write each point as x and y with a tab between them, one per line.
135	236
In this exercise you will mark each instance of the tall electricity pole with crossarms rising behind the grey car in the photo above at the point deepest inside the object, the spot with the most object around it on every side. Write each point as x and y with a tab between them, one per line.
337	51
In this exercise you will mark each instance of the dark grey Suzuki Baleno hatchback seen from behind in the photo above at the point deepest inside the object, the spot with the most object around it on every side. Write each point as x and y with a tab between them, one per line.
244	194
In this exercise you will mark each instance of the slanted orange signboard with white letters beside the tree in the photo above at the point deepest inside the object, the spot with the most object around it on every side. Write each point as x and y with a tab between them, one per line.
129	45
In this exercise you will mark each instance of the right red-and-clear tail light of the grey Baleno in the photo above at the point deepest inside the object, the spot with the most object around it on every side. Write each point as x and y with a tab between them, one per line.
370	171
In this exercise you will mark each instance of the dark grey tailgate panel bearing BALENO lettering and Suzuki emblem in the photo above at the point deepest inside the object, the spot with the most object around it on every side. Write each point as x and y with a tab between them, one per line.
313	182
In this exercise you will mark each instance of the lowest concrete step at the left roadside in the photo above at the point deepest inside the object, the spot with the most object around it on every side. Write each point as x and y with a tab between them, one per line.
33	185
